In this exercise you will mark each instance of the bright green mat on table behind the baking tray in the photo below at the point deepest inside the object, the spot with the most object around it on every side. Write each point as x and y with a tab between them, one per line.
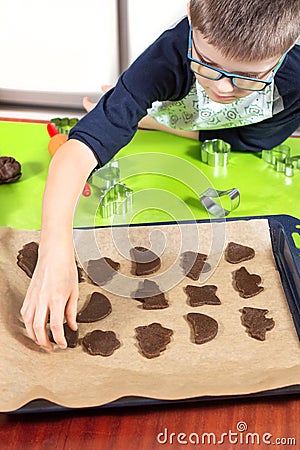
167	173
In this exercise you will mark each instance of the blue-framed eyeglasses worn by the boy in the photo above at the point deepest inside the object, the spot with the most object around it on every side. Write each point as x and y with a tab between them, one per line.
239	81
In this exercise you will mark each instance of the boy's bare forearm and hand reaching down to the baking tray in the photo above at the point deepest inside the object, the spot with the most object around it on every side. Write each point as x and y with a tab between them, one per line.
54	286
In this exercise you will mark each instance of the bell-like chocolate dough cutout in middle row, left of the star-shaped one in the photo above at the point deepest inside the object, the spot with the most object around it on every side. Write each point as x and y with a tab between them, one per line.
150	295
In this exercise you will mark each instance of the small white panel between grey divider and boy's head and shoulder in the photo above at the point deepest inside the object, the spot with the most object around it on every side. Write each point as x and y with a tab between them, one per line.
147	19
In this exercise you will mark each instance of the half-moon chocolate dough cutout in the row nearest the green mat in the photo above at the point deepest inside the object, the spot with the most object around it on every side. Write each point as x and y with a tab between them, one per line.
144	261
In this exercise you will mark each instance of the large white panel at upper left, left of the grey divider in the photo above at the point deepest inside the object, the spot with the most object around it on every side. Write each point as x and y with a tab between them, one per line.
68	46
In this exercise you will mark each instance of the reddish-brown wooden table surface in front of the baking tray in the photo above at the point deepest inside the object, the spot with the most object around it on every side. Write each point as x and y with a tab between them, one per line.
256	423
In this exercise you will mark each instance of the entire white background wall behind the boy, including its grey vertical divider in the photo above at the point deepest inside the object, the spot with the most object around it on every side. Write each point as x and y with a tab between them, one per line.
54	52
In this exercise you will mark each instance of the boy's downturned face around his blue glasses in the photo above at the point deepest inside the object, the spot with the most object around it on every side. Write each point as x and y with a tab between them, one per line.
222	90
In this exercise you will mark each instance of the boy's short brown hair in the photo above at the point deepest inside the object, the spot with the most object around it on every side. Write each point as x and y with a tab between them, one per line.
248	29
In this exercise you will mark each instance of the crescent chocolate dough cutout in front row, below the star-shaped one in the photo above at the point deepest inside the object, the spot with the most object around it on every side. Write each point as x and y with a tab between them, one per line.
204	328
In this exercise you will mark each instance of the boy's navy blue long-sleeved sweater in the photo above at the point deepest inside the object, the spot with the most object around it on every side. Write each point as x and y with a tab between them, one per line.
162	72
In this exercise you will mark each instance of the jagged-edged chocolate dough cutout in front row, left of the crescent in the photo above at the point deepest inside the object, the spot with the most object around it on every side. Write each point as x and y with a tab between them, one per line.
153	339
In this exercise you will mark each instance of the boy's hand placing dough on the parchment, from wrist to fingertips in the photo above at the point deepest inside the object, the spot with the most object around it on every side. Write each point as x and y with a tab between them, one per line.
53	292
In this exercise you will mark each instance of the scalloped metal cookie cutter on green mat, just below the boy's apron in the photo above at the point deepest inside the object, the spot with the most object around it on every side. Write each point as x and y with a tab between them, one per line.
215	152
